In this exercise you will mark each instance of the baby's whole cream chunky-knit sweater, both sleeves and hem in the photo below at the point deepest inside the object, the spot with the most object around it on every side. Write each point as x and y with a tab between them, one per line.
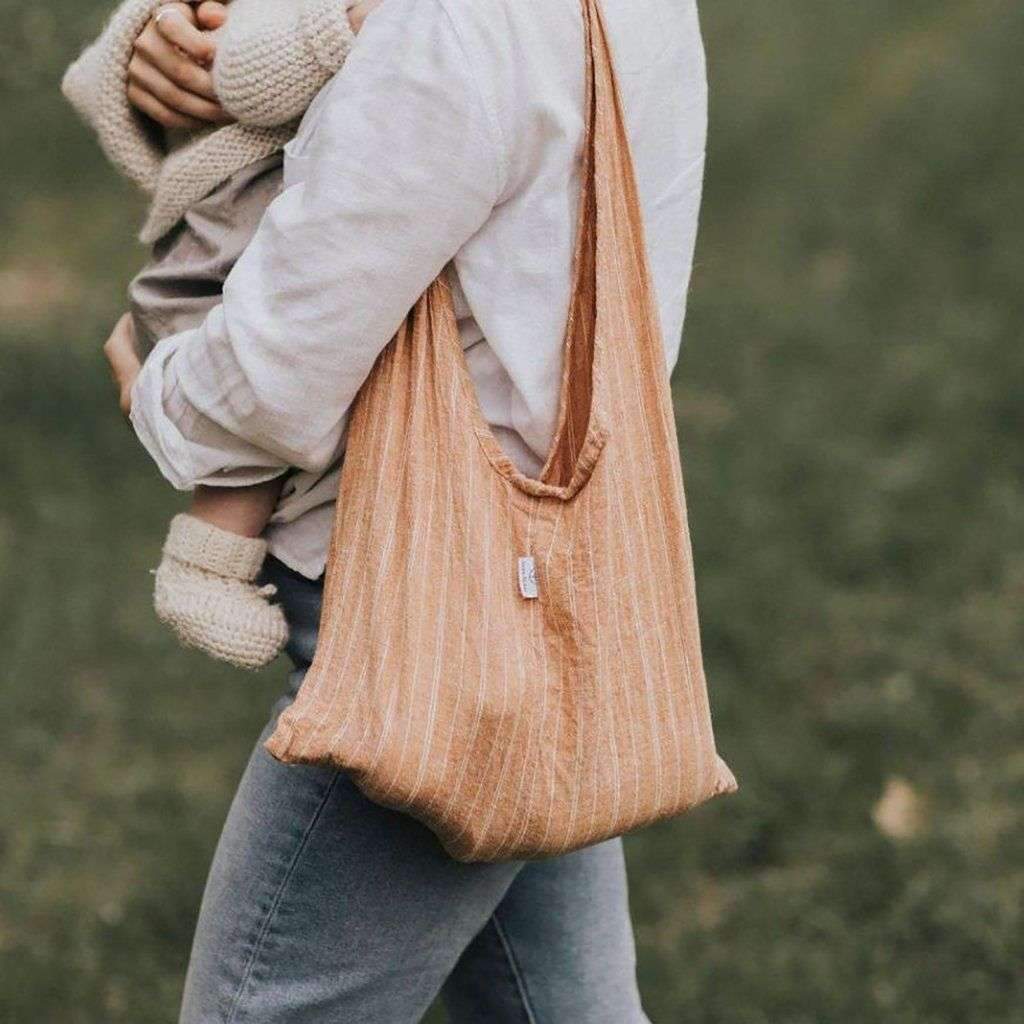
273	58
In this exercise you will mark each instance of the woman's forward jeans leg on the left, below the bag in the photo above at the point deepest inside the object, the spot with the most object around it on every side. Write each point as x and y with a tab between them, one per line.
322	907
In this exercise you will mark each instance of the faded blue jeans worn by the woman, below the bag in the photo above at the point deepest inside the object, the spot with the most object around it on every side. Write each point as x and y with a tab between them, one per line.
322	907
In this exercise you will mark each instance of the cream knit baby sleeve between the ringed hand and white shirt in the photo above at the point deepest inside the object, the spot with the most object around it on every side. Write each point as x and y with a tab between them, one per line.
274	58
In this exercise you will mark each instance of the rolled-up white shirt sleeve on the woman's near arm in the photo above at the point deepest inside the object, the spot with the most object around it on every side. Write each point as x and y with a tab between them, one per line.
397	165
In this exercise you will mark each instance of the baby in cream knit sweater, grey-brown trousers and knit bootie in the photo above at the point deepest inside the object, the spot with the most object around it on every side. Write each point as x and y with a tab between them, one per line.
209	190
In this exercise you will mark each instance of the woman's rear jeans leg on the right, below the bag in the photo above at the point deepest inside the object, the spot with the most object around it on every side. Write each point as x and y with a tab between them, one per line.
559	949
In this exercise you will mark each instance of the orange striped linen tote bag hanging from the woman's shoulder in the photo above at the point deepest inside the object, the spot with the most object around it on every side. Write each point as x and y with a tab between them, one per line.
517	661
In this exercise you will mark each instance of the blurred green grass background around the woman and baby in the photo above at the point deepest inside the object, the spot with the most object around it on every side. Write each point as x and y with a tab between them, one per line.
850	407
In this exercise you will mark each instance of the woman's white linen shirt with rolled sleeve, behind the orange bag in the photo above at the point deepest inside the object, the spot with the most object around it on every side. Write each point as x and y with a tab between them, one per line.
451	138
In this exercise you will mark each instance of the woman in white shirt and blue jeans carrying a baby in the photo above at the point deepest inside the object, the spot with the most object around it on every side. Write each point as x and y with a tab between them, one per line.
453	135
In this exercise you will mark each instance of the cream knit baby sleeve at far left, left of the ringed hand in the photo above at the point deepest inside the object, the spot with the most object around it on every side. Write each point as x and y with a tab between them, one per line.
97	87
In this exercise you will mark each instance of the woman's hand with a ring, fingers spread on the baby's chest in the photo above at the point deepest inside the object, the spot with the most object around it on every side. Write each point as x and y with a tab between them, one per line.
169	77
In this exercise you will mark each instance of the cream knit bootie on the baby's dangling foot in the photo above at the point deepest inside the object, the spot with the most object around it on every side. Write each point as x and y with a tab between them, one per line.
205	591
